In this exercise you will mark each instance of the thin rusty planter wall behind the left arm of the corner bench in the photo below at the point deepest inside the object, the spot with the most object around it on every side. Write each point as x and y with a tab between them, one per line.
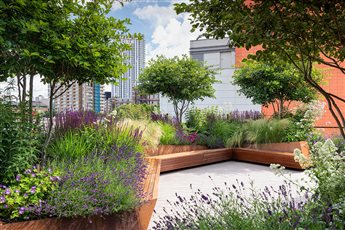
168	149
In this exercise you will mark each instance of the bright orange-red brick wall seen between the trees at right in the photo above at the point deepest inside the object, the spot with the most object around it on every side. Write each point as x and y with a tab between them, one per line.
334	82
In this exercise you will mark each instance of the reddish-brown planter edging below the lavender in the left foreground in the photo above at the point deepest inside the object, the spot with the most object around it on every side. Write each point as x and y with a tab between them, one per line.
138	219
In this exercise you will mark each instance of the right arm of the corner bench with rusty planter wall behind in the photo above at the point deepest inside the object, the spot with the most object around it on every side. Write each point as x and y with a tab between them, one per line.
275	153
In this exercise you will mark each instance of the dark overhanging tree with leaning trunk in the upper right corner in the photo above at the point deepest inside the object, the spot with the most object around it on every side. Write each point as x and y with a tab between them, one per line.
302	32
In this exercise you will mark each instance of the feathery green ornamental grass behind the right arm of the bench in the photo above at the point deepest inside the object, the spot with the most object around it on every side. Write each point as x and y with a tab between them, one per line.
259	132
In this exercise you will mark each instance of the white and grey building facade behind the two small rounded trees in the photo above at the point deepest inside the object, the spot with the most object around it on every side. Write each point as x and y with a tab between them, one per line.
218	54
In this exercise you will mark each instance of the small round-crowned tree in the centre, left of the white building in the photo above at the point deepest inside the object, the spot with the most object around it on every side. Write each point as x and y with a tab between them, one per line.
183	80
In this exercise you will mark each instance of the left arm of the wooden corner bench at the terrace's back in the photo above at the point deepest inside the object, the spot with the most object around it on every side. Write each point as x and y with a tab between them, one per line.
181	160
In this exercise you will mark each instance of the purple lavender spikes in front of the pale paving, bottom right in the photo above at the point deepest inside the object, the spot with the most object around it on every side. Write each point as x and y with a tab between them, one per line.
237	207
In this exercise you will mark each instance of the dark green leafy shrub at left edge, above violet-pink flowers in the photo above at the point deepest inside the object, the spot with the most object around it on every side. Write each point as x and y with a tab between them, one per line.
19	142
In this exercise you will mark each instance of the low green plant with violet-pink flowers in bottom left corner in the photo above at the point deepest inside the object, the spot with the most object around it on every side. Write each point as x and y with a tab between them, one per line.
28	191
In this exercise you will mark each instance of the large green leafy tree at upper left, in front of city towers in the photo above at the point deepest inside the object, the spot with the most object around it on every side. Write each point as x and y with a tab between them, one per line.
63	41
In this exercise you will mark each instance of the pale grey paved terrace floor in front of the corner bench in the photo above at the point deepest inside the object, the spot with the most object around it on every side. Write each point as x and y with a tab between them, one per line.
179	181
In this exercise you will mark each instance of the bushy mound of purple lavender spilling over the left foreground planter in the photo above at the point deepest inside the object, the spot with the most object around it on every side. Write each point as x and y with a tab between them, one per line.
100	184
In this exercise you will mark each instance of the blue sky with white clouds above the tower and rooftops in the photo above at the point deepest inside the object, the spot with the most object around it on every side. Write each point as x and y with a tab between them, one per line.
165	32
